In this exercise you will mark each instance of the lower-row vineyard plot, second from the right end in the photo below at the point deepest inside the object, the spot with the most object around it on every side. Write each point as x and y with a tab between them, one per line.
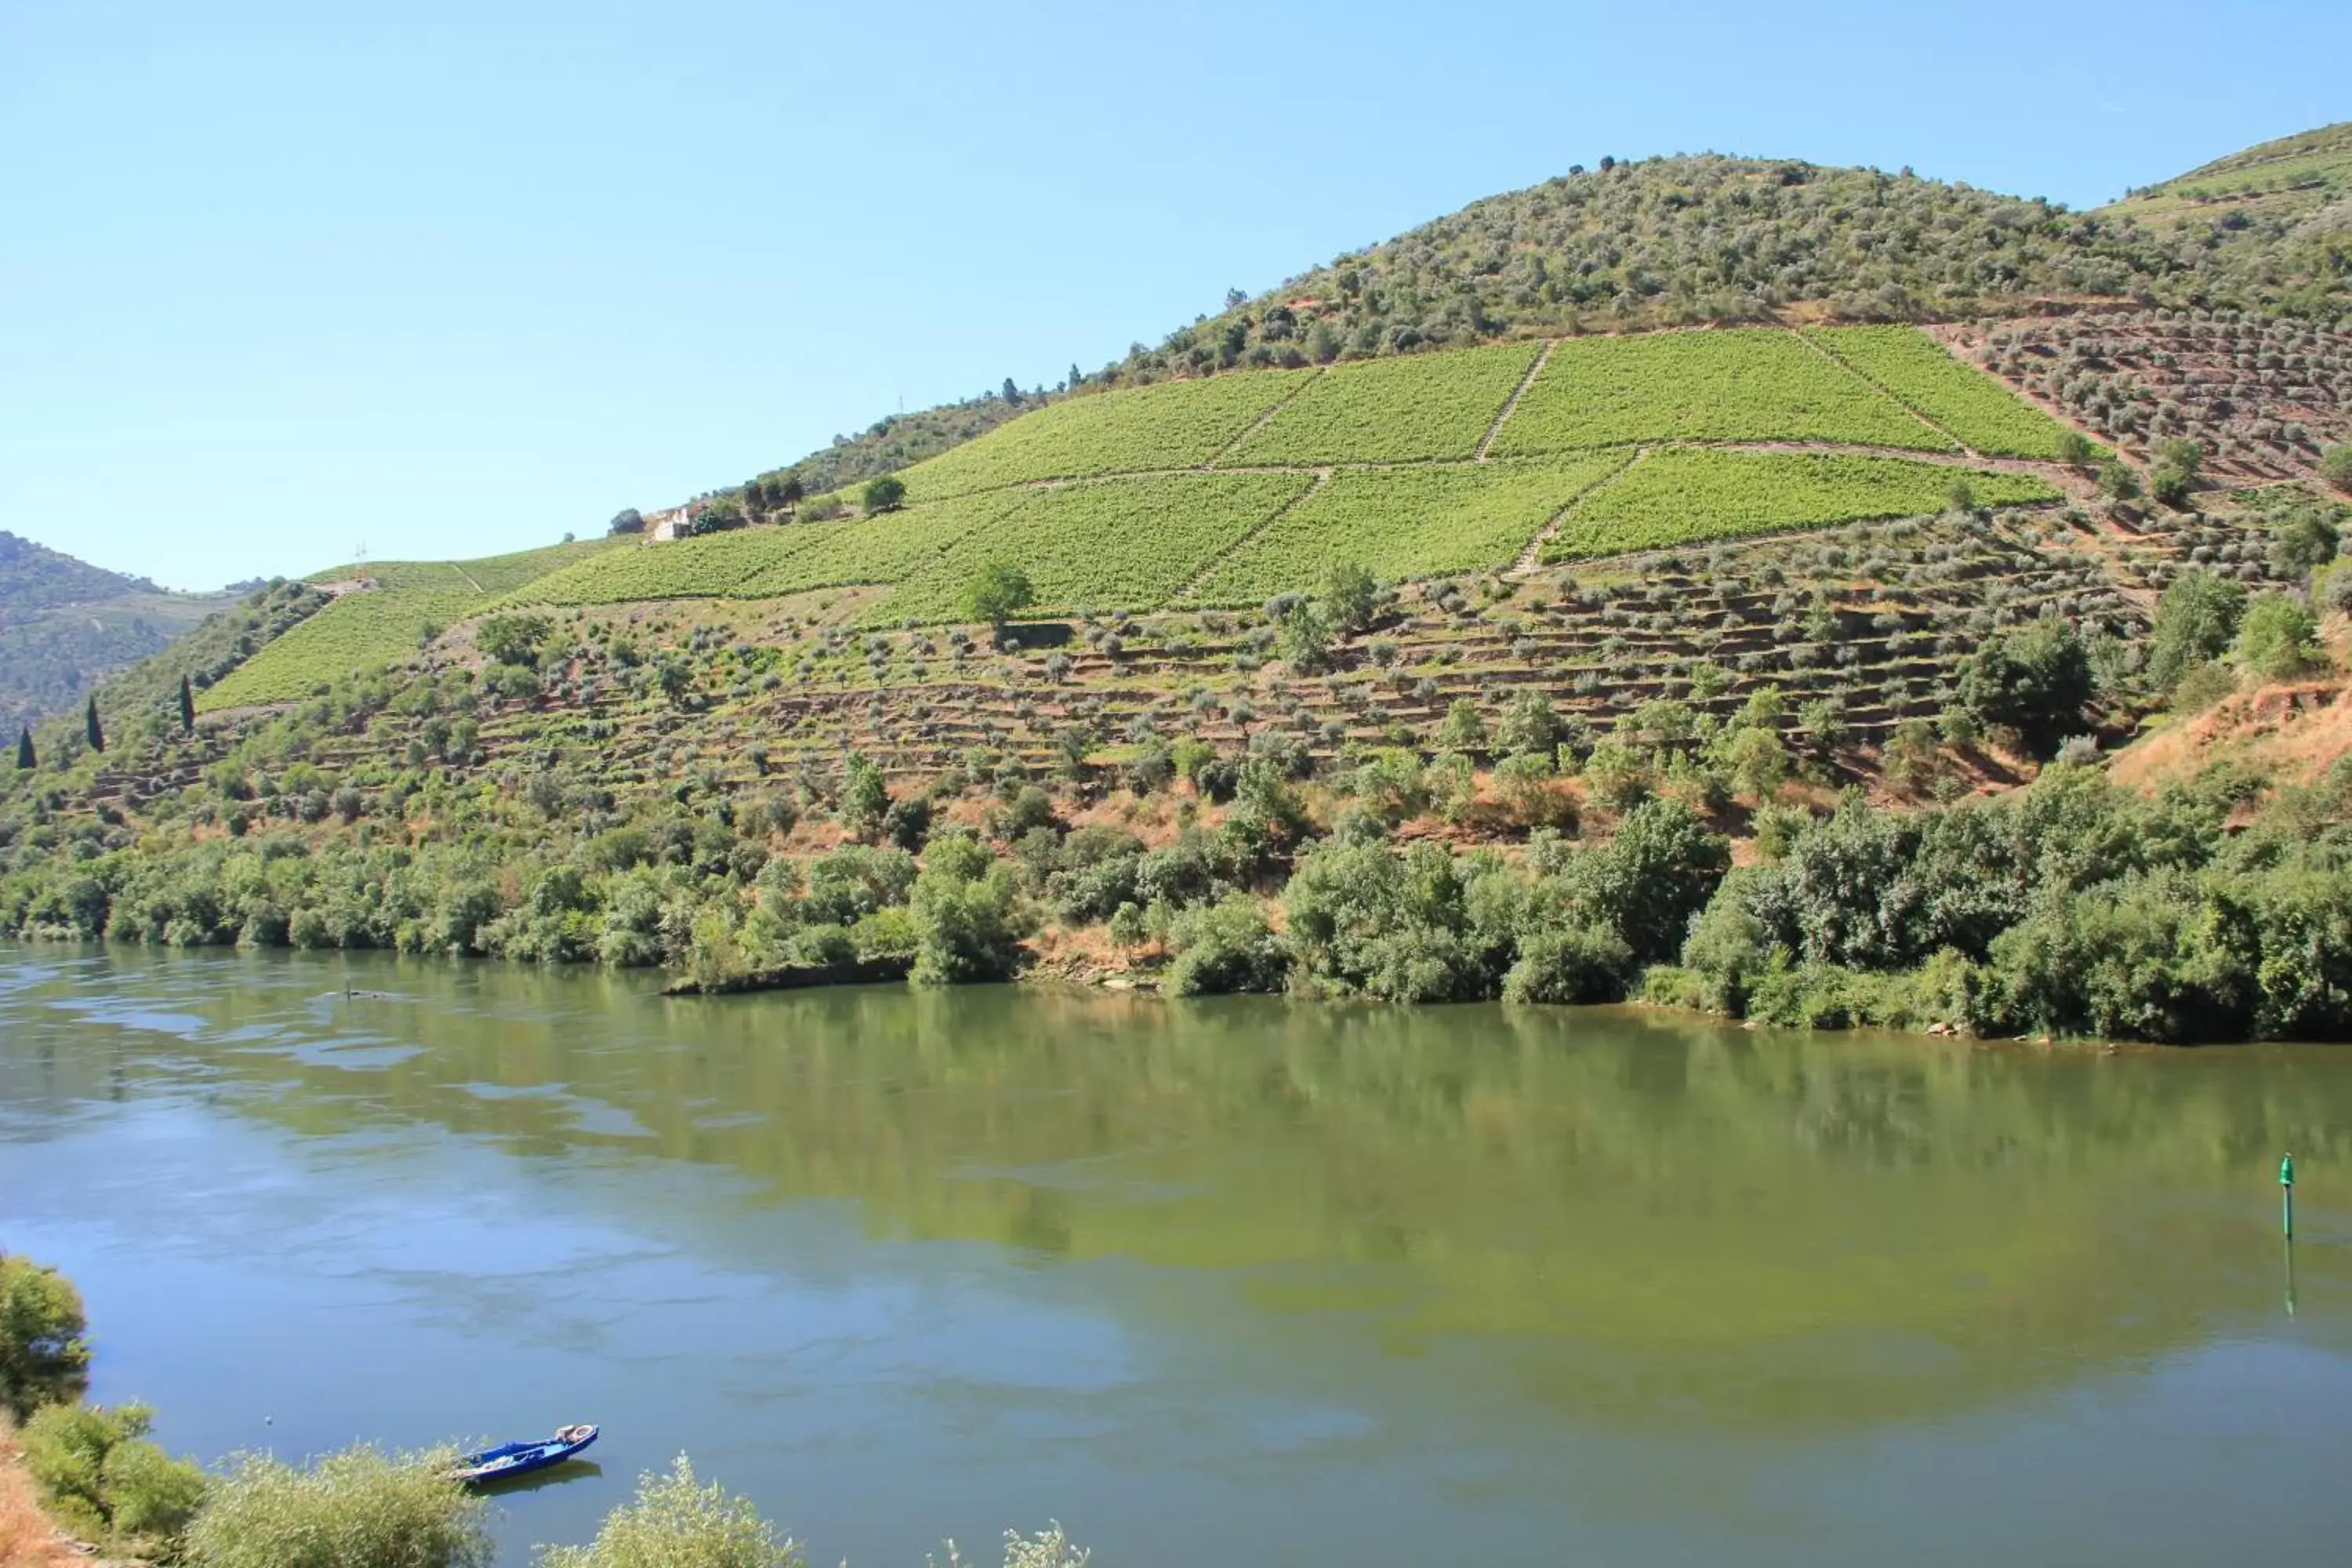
1405	523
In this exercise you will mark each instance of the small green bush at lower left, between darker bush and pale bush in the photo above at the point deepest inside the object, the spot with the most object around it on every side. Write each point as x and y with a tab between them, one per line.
102	1480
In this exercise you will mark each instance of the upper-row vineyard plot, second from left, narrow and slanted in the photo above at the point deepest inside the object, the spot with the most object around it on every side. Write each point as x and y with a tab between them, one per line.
1394	410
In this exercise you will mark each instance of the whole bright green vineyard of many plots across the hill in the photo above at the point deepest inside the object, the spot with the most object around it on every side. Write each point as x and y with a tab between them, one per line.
1236	488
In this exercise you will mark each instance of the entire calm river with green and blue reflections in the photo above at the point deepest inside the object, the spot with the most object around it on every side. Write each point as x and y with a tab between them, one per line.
1241	1282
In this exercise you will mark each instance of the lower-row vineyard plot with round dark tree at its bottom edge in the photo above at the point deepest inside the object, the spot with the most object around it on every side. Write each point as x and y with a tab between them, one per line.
1102	547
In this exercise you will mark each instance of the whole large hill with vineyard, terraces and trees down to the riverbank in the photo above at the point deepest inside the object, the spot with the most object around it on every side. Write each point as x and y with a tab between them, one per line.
1553	598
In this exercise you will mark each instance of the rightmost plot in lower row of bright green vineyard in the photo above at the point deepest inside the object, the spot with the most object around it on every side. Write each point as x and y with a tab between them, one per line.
1683	497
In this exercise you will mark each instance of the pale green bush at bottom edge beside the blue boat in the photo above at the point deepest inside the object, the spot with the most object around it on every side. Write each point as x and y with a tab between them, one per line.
359	1508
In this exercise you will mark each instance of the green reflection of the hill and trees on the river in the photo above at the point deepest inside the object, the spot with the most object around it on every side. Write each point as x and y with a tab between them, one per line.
1652	1212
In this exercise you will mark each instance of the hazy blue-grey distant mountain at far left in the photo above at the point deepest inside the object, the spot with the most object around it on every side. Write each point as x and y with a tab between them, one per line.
67	624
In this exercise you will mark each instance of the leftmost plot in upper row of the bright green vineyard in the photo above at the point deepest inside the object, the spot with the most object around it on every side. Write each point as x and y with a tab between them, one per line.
1177	424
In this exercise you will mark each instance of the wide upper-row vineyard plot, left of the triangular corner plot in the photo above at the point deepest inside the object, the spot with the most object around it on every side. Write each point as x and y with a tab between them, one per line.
1751	384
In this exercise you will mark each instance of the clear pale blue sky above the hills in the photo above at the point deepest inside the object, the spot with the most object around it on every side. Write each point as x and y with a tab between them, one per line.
450	279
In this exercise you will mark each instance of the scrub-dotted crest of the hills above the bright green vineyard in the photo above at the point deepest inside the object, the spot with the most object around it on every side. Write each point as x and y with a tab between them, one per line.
1713	241
